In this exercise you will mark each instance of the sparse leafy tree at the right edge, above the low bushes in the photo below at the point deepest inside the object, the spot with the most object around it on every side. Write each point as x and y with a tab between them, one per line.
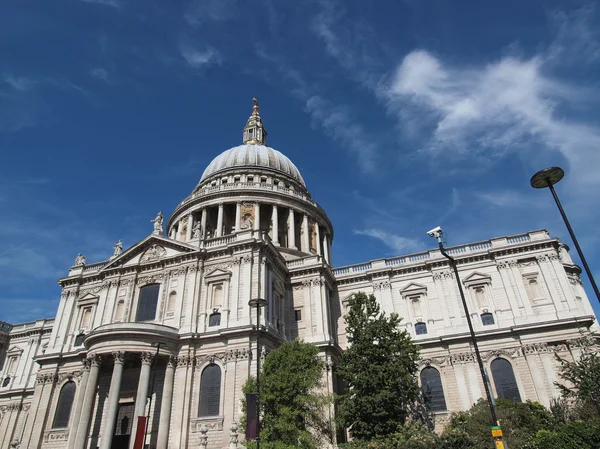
584	378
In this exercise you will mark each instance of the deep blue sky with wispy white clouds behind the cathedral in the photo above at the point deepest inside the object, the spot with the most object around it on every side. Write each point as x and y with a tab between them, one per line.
401	116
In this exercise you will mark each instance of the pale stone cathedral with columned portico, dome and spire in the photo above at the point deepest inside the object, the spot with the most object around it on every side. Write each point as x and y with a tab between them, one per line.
163	329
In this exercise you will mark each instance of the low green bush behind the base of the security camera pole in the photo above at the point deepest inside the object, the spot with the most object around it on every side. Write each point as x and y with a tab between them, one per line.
520	422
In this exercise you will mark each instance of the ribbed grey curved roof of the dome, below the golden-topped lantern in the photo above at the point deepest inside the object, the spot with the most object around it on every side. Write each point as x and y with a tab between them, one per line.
252	155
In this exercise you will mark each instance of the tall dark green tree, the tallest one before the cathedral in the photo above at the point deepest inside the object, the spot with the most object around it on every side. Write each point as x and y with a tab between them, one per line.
379	368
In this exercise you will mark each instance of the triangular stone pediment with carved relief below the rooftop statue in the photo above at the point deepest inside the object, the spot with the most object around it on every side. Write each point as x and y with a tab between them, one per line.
151	249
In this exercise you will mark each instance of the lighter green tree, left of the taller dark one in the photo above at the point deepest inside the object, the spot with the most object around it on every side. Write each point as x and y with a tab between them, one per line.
292	408
